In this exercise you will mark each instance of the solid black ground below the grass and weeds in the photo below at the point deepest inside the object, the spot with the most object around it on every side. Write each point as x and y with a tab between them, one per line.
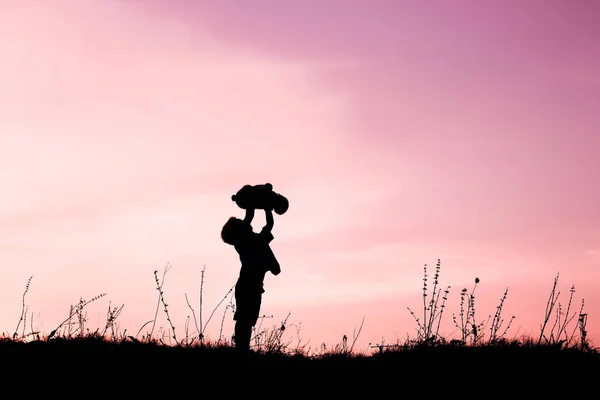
105	369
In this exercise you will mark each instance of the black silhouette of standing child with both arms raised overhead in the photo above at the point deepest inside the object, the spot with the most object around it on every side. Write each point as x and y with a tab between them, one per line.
257	259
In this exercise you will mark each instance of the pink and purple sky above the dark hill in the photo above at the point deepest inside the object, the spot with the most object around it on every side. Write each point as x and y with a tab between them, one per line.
401	132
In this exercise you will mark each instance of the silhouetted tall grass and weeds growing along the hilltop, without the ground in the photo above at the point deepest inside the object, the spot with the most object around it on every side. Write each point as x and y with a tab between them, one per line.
562	327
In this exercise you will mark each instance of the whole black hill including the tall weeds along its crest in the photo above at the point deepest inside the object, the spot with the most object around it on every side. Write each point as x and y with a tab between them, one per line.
560	361
